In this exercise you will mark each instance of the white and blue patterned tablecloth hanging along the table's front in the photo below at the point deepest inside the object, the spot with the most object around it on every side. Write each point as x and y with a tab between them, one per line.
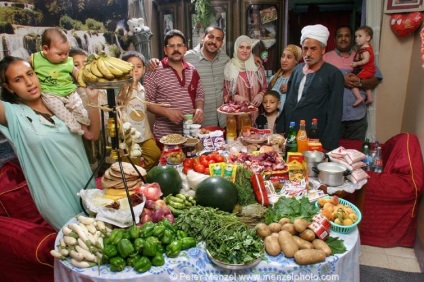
194	265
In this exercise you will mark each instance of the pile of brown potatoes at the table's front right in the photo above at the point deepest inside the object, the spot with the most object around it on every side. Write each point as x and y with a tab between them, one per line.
293	239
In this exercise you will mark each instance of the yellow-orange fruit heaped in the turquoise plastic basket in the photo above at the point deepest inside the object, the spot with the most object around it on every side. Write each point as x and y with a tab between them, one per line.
334	211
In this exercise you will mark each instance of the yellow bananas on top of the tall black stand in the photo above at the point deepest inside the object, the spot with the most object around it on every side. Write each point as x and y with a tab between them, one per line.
103	68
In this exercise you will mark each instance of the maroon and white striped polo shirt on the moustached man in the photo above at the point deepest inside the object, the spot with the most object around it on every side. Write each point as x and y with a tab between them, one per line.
163	85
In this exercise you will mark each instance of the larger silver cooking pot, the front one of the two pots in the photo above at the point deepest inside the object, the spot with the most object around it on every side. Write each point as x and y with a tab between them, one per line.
331	174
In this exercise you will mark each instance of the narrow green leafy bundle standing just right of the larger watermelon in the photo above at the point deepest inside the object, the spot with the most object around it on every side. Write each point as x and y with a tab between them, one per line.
244	187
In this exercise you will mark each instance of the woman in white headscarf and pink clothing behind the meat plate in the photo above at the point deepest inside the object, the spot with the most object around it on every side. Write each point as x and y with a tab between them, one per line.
243	79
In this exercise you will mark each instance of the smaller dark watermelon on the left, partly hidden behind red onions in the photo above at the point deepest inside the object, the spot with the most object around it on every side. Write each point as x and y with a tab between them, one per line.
167	177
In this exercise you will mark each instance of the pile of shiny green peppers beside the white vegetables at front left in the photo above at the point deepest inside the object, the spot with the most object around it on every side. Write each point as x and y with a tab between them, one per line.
144	247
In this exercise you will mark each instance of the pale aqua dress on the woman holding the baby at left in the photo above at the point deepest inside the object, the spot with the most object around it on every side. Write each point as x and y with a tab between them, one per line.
53	161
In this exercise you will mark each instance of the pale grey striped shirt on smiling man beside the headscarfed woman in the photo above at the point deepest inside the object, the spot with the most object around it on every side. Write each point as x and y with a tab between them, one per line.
212	77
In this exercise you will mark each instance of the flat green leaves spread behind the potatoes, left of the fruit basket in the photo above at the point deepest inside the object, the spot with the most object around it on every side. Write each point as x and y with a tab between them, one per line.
291	208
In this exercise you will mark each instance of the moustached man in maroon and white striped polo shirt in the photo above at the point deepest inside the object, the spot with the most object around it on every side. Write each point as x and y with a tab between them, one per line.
175	82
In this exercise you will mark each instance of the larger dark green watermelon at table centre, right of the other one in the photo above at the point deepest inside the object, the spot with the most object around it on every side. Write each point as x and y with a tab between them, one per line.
217	192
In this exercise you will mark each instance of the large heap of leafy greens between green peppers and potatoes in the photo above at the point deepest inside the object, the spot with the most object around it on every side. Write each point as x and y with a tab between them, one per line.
227	238
